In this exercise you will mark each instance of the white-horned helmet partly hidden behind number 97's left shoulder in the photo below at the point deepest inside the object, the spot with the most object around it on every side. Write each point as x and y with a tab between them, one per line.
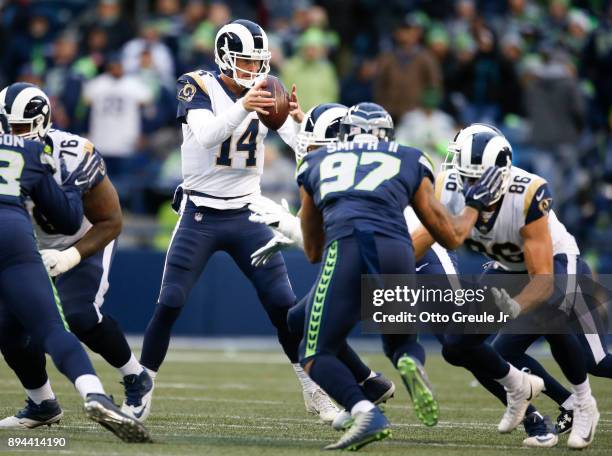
321	126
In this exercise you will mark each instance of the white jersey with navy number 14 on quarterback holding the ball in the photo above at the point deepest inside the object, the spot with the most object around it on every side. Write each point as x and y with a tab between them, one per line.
232	169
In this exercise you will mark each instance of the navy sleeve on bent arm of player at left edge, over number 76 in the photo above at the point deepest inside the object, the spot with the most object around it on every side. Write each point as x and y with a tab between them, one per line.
57	210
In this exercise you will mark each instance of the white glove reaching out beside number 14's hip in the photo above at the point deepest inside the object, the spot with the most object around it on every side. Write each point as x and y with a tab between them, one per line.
277	216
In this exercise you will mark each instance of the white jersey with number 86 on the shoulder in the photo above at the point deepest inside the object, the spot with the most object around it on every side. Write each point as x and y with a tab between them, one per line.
500	238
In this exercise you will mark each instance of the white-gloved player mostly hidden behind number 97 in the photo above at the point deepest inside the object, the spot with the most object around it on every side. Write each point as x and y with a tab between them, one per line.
321	127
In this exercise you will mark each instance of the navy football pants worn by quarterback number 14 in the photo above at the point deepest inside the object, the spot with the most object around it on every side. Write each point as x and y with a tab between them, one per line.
200	232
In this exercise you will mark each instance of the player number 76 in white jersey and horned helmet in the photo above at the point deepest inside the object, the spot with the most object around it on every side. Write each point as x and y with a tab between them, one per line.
79	263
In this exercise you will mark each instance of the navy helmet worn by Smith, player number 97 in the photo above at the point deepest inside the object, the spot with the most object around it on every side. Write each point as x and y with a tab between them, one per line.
367	119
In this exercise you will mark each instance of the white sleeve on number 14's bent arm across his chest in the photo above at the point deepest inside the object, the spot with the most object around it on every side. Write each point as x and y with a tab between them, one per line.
210	130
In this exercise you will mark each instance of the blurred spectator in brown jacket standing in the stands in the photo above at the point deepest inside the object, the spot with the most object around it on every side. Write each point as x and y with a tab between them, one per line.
407	71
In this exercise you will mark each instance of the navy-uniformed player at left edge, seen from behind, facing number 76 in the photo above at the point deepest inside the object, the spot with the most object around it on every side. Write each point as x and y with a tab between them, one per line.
28	301
